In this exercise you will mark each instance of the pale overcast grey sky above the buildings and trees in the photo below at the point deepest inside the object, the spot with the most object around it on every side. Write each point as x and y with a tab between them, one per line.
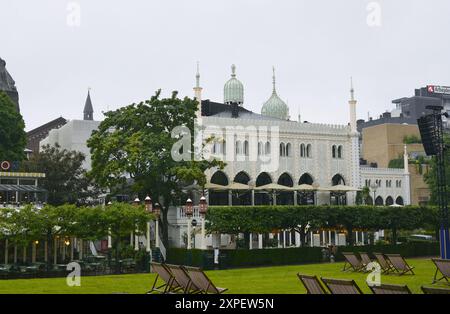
125	50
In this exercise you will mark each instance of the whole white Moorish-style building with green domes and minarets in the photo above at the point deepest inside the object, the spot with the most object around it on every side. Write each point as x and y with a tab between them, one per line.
273	160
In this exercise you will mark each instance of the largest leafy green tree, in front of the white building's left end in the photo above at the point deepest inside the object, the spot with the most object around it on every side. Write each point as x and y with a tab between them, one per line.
135	142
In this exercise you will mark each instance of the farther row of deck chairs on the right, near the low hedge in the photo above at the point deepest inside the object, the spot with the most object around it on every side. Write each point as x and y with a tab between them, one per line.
389	263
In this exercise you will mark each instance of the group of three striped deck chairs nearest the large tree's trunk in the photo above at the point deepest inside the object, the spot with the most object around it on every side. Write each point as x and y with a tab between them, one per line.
182	279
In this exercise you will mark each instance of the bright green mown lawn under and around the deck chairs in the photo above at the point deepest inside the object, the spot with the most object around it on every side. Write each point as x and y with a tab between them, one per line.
281	280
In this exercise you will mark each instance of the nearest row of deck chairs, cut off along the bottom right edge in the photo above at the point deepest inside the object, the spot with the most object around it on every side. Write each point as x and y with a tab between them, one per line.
342	286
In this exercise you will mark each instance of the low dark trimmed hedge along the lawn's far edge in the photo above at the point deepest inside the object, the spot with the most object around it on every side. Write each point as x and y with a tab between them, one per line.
288	256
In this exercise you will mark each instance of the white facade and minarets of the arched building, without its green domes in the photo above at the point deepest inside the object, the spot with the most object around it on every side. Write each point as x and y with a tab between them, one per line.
321	151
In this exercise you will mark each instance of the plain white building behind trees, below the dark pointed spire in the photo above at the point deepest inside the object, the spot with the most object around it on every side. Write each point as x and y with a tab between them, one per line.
73	136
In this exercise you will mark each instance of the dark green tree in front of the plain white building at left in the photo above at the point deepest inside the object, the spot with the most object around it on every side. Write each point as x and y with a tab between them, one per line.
65	180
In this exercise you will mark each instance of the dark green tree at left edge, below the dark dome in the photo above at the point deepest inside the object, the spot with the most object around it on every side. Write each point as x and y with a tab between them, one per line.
12	134
